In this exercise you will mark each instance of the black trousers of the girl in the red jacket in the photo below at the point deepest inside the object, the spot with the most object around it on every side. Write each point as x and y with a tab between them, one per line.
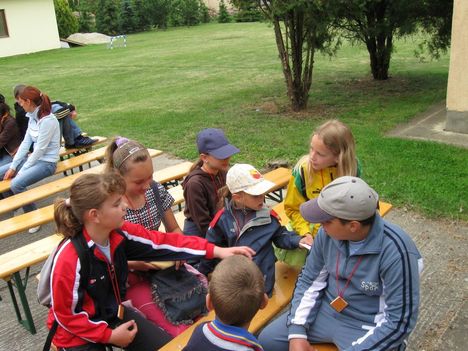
148	338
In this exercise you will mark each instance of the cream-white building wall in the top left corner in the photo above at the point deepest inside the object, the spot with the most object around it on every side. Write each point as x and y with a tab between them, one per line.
31	26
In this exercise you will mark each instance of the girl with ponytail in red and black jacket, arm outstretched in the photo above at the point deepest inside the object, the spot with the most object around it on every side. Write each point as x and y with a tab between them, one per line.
92	316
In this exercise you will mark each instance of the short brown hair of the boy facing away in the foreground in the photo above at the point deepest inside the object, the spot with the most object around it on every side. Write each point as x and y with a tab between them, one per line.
236	290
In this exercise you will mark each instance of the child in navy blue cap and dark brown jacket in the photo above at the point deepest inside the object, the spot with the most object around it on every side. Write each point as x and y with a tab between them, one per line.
204	180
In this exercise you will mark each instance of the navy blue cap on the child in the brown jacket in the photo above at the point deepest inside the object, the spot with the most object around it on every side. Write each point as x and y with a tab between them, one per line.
212	141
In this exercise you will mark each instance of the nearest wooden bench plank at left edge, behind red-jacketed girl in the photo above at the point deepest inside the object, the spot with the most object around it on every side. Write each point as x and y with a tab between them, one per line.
26	256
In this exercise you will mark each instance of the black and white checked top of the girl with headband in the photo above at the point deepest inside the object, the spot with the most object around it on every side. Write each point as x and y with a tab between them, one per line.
140	215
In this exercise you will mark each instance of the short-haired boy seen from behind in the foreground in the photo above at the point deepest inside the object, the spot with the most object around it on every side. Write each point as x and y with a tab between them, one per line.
236	293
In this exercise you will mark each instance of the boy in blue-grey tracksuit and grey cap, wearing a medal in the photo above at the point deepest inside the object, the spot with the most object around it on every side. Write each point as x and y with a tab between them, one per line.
359	288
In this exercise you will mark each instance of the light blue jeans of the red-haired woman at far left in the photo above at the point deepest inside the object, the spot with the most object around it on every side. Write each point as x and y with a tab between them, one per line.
26	177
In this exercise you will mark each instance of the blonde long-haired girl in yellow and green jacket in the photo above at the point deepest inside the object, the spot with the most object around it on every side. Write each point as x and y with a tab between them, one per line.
332	154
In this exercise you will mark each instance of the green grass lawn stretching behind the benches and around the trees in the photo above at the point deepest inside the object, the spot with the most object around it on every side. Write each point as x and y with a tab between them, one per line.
166	86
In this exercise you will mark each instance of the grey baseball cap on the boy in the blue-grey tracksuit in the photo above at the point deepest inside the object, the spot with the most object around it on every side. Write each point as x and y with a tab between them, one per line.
346	198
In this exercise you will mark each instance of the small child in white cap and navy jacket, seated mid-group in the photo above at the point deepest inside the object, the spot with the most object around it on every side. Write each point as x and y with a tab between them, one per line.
245	220
